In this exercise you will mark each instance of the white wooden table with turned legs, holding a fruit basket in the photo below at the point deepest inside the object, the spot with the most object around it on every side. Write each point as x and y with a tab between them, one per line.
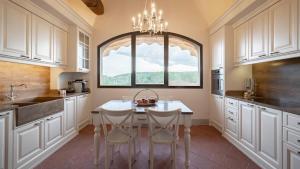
186	117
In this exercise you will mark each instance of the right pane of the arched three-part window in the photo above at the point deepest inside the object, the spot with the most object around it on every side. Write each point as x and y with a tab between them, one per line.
184	69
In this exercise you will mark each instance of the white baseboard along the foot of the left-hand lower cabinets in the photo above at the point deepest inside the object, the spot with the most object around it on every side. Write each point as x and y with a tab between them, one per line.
48	152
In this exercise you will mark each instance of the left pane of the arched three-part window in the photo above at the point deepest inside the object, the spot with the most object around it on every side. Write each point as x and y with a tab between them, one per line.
116	63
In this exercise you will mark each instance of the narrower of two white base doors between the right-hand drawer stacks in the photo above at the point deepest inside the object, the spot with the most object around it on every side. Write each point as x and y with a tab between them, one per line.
247	125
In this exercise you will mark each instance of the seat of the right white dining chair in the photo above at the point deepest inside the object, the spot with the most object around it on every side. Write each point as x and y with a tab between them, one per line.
164	137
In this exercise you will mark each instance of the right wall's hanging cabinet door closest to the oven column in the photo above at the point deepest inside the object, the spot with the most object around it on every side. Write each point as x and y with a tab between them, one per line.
241	43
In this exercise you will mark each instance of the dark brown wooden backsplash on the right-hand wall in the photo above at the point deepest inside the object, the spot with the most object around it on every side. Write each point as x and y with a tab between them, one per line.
278	80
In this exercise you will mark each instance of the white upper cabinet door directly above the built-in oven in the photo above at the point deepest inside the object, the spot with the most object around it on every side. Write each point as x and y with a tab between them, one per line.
217	50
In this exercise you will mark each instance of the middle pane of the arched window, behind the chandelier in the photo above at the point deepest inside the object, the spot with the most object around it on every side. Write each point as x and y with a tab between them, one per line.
150	60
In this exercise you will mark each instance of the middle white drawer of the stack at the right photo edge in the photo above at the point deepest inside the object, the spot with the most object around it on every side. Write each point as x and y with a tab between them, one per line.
291	137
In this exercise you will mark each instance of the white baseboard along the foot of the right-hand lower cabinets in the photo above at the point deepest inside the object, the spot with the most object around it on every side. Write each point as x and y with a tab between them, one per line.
249	153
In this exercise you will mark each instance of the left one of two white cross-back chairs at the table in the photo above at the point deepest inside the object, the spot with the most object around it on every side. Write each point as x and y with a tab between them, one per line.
120	132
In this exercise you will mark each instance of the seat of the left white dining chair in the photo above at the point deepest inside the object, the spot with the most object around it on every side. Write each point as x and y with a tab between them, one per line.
116	136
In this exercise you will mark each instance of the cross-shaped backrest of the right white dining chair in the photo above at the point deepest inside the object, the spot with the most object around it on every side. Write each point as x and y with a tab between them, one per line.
163	120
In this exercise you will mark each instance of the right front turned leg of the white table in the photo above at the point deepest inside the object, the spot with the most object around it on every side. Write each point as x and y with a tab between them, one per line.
187	139
